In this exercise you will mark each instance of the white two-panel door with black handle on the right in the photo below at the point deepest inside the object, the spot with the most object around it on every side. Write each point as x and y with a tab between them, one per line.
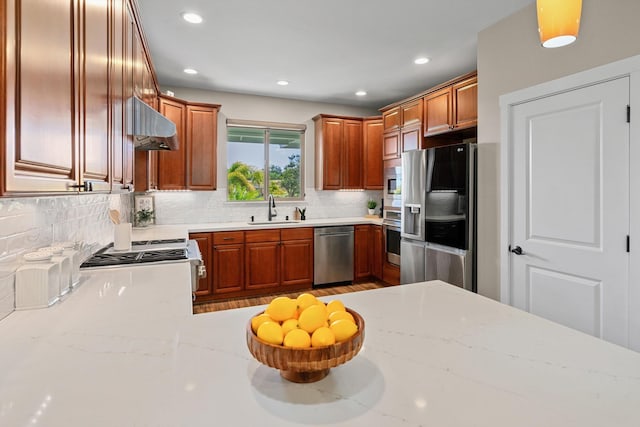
570	209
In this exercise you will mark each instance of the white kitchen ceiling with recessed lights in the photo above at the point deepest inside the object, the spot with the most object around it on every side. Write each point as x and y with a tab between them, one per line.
327	49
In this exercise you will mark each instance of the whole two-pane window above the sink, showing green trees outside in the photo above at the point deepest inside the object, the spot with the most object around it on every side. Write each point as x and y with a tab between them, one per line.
263	159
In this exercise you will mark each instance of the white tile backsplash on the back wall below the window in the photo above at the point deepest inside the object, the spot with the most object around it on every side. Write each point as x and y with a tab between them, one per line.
191	207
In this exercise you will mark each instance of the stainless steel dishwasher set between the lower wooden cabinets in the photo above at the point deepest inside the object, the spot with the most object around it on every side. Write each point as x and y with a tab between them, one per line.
333	255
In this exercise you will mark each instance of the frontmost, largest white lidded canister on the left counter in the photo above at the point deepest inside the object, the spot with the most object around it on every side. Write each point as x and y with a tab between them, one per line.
37	281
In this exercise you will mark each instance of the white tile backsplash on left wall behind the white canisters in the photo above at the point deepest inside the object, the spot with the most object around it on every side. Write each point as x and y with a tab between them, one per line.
28	223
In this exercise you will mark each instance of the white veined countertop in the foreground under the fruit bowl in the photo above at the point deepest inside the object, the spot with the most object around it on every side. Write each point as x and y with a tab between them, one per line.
123	349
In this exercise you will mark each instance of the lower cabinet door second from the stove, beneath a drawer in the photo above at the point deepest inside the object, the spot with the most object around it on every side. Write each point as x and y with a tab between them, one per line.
228	268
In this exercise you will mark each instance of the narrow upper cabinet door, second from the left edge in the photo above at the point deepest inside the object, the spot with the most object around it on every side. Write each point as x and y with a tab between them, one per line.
95	128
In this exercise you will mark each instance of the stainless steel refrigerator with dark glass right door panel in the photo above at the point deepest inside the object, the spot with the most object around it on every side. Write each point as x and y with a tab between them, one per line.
438	215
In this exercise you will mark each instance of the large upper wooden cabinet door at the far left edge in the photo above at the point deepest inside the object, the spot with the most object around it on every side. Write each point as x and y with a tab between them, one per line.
40	111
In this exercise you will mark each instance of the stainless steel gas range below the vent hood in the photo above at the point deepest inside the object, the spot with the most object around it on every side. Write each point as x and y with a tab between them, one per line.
144	252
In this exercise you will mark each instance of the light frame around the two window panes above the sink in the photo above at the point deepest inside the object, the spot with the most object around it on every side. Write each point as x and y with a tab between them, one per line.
268	127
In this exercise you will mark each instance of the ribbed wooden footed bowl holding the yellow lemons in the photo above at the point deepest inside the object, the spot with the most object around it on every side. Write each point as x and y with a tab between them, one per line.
306	365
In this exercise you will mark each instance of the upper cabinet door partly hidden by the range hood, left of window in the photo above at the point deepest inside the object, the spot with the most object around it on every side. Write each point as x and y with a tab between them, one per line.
172	164
